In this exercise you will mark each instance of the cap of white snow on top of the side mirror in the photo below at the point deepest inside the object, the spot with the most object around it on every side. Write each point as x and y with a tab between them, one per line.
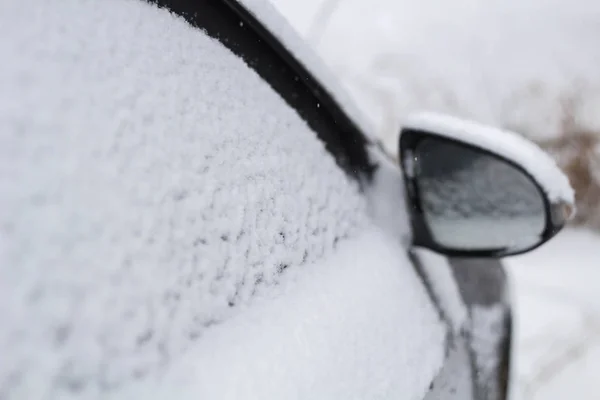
505	143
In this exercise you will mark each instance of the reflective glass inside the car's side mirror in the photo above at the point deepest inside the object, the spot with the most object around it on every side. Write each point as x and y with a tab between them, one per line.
472	200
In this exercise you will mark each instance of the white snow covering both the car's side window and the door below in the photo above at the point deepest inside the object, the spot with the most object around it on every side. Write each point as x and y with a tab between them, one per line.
151	187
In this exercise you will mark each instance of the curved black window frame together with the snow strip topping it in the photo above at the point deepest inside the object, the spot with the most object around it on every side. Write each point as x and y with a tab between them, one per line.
255	32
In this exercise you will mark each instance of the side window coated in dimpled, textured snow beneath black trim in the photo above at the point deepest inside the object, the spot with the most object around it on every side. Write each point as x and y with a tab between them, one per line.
148	192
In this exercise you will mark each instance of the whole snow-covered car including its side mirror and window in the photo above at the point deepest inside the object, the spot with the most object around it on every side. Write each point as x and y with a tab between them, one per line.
190	207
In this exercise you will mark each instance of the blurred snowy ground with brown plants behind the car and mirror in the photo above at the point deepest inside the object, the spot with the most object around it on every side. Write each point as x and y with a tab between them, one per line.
532	66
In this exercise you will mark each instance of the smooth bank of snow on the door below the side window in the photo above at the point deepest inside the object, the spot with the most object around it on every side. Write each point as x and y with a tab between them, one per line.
337	330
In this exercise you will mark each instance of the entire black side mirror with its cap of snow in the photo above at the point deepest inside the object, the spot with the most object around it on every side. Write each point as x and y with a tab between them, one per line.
477	191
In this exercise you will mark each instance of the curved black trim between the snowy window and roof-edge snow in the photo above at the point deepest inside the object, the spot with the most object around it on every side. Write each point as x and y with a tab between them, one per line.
236	28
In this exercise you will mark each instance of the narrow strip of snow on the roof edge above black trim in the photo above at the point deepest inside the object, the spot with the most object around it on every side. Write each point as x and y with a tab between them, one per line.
280	27
